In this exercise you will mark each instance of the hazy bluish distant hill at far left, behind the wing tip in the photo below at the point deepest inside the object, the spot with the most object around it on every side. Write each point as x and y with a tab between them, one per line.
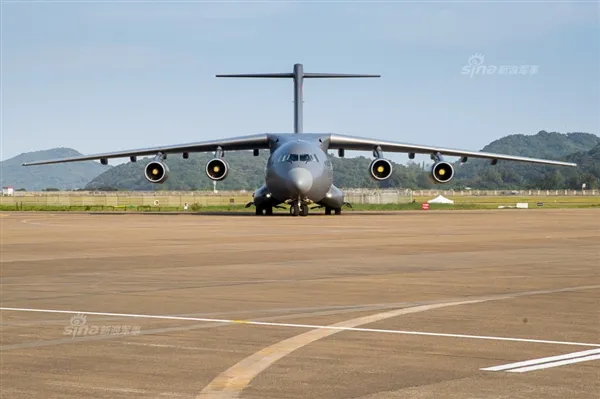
65	176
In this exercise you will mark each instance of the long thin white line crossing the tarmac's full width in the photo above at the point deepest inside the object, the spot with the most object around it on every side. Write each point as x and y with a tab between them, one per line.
304	326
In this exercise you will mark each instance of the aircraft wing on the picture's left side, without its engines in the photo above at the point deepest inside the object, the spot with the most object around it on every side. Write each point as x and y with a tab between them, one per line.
258	141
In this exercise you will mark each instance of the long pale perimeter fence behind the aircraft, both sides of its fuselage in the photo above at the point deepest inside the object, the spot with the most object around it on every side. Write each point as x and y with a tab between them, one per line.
178	198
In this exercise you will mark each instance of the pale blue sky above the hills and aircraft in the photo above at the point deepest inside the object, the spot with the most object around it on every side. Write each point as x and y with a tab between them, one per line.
105	76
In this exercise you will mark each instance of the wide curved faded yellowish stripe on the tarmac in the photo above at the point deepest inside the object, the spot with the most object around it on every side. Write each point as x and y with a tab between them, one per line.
230	383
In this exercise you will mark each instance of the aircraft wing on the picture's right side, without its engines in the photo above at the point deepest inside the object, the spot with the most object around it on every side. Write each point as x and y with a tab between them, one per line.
337	141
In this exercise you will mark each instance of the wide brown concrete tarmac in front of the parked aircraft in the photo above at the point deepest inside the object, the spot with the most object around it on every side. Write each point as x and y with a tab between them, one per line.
431	304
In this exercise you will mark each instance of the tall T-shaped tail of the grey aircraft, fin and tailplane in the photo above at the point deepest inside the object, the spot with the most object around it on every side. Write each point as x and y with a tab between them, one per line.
298	75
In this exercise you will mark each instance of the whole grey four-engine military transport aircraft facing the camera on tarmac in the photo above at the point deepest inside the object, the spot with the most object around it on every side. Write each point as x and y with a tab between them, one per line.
298	171
